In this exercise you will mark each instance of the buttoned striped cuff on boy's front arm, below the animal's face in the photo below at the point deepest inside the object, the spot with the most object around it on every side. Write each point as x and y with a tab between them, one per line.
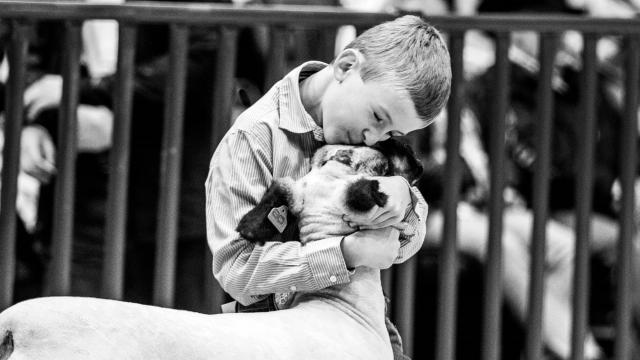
326	262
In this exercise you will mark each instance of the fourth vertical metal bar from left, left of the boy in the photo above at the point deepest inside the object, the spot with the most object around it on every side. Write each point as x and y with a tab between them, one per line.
170	168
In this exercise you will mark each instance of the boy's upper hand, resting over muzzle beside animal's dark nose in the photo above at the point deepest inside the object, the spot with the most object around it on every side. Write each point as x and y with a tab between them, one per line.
392	213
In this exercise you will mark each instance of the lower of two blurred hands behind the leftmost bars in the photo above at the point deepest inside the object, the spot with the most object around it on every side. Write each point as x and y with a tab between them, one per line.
37	155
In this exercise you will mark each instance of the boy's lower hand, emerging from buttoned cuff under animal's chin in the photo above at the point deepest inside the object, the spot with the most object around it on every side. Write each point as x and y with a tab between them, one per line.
372	248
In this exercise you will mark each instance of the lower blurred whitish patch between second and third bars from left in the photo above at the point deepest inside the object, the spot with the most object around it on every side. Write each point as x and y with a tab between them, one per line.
95	127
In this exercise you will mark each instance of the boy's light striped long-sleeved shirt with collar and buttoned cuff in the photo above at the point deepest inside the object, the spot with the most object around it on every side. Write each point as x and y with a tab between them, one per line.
276	138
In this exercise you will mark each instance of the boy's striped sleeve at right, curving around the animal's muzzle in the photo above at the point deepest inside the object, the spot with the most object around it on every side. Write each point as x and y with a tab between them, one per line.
412	237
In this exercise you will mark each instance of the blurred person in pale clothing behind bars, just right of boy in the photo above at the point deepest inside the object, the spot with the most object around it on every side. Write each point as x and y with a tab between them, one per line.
473	225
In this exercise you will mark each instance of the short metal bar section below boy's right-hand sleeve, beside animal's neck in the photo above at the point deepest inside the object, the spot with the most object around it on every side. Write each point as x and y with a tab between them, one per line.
405	296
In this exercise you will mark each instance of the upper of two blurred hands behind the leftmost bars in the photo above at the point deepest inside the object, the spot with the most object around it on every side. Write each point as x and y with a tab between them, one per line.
45	93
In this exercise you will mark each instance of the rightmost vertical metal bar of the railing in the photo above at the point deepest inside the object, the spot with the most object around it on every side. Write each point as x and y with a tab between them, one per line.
628	156
